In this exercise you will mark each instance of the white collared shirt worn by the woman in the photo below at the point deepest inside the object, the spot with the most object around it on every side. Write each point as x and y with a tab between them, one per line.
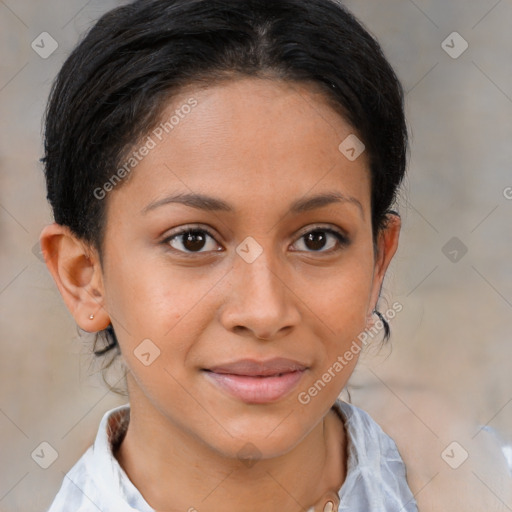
375	480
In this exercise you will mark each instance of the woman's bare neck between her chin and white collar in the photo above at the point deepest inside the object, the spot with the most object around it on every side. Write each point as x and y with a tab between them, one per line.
176	472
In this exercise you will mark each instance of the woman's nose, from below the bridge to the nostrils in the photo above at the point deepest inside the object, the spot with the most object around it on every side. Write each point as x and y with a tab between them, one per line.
261	302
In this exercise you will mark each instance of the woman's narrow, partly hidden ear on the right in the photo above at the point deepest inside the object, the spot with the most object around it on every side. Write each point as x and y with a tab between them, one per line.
387	244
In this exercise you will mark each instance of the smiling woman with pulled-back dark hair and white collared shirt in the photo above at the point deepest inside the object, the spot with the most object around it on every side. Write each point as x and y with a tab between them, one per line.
222	176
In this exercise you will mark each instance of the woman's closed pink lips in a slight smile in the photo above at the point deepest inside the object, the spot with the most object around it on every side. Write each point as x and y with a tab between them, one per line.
257	382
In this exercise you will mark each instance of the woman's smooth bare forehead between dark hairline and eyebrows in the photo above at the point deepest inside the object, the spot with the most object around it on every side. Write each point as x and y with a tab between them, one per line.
247	139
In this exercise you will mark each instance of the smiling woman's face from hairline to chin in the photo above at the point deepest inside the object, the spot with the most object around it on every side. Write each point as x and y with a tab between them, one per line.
280	263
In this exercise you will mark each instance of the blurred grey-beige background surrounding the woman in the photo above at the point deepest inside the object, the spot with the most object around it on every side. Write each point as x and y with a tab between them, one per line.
451	346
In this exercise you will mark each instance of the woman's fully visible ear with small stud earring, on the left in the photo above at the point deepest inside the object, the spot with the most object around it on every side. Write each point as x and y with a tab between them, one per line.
76	269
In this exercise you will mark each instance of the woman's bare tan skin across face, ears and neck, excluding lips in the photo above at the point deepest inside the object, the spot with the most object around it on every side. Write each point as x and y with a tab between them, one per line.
296	300
